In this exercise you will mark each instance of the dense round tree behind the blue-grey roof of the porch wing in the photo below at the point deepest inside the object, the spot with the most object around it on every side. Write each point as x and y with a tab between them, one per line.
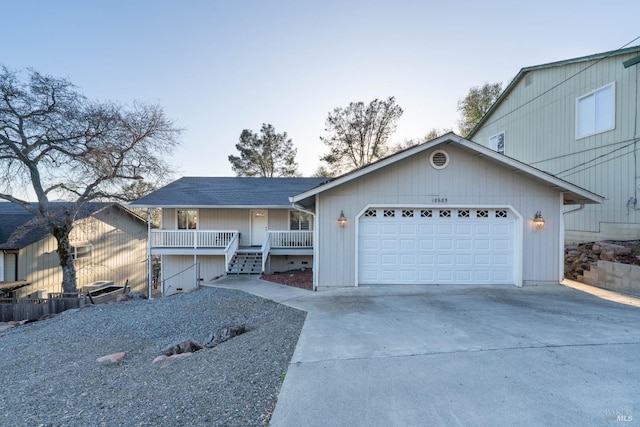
268	154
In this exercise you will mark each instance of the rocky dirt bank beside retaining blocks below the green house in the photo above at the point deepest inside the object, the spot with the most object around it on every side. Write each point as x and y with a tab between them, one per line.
578	258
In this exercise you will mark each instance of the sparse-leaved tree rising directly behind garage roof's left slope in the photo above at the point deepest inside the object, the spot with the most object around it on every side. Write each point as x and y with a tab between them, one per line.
358	134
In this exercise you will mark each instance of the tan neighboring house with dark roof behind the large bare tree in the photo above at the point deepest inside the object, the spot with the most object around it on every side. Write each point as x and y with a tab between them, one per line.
109	243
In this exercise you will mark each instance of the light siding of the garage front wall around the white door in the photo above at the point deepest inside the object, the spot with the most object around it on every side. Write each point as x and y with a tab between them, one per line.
468	180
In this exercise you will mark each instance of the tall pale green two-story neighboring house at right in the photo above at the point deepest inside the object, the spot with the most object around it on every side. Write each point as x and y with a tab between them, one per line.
577	120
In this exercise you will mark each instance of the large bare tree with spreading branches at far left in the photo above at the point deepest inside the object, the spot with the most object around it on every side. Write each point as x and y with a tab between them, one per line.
55	143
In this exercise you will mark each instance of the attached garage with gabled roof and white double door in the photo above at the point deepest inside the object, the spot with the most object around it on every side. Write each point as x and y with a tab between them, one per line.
445	212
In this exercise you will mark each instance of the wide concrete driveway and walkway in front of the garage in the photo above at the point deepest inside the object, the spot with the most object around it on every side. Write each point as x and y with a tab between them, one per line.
458	355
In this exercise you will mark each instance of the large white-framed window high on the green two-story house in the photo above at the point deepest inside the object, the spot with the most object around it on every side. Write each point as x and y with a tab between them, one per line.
595	111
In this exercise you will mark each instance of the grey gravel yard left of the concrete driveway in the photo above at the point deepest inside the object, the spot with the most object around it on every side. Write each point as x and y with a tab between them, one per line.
50	376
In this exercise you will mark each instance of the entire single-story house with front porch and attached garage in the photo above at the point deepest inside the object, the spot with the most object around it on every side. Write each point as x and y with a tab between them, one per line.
448	211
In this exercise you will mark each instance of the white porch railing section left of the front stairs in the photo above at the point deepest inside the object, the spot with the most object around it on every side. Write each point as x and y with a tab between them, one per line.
191	238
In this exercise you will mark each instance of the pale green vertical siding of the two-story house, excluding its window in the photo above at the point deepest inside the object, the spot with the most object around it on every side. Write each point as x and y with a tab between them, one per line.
540	131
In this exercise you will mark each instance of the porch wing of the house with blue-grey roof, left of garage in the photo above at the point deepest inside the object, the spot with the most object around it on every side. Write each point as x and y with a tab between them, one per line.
211	226
